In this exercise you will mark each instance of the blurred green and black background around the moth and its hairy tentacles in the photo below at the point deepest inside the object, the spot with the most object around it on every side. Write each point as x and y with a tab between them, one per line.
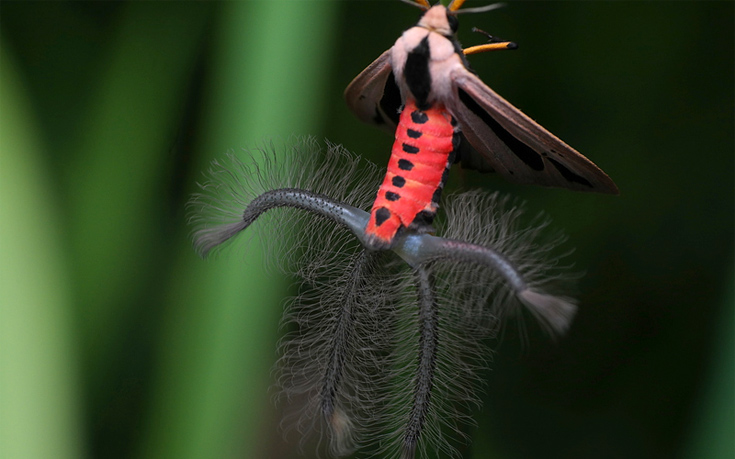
116	340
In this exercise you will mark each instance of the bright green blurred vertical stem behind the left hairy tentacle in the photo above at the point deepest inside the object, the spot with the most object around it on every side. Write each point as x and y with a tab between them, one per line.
211	392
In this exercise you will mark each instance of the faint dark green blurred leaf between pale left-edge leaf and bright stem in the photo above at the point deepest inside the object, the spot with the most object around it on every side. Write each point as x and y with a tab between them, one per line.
116	164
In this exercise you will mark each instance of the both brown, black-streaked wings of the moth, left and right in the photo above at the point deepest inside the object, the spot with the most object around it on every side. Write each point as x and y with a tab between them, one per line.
499	137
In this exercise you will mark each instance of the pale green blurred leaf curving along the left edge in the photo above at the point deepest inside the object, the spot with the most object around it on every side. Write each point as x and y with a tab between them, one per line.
39	398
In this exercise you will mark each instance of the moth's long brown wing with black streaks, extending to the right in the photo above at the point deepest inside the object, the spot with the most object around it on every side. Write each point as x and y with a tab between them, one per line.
514	145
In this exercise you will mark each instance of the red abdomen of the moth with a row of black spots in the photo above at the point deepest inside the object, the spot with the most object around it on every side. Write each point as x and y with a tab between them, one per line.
418	167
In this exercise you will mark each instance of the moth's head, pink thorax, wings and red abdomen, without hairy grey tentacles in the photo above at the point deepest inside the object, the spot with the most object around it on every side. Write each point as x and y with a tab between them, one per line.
424	90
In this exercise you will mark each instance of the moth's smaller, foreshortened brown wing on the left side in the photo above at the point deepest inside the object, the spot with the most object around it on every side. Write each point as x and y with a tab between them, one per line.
374	96
